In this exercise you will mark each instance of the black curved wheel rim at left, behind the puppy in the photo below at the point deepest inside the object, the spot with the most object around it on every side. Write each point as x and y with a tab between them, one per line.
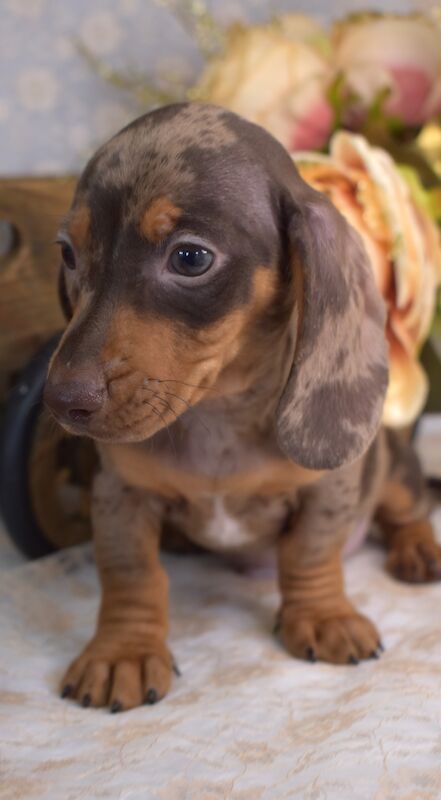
16	437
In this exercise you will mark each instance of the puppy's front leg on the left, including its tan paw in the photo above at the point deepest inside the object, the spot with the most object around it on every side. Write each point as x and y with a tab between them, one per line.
127	661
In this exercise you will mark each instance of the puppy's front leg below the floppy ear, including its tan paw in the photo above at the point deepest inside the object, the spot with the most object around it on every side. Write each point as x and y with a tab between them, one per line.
316	618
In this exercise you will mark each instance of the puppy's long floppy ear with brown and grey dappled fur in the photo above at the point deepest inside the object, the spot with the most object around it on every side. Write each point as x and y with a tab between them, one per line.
331	406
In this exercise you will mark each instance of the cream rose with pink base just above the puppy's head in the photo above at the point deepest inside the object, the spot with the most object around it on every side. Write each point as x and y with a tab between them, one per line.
272	76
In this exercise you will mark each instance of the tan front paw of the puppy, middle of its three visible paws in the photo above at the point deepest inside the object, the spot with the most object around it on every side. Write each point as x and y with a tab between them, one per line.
342	638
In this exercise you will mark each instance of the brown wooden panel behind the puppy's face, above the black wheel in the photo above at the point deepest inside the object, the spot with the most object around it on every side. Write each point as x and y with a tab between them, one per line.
29	309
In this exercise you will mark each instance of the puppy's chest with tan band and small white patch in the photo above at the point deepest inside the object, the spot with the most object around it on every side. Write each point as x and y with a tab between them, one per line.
222	487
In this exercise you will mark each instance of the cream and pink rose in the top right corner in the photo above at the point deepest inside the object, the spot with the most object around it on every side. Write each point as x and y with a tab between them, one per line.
399	53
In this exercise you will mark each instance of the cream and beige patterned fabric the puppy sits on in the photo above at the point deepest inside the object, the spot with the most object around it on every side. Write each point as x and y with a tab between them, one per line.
244	721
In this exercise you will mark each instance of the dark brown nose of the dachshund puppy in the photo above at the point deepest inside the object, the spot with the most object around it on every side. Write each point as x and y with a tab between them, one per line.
74	402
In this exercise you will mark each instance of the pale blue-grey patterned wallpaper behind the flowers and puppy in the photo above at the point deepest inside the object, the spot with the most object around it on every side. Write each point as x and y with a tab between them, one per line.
54	110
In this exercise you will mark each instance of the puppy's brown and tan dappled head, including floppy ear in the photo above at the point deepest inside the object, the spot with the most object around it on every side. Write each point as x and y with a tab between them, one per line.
190	234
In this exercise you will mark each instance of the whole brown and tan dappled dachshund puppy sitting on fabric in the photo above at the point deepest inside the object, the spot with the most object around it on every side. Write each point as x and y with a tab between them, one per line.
226	351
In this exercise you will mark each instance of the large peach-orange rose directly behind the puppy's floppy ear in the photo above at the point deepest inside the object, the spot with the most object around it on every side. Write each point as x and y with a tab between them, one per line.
404	247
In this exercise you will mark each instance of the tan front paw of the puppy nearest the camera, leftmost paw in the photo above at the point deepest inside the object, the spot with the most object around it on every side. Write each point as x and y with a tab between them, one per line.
114	674
